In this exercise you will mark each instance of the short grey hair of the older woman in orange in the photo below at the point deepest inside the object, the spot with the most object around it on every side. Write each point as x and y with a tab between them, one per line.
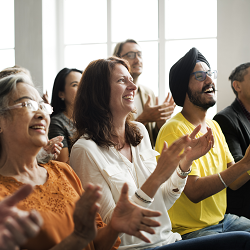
7	85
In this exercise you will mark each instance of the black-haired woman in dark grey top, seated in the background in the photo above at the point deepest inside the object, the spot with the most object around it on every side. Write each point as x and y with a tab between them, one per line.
63	95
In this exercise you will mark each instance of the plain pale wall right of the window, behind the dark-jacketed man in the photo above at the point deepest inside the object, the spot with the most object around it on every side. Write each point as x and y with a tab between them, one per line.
233	44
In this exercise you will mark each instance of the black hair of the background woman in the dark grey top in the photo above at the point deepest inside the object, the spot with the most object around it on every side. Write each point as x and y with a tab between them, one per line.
59	85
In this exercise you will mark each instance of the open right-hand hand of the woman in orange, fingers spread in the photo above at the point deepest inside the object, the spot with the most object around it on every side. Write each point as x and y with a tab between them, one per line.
132	219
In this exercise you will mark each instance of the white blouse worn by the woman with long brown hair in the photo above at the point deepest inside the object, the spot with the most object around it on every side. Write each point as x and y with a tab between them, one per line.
111	170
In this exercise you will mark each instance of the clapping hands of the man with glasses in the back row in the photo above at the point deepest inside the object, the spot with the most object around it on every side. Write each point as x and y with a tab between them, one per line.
157	113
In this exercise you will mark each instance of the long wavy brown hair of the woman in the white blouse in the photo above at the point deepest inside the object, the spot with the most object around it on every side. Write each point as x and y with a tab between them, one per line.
92	116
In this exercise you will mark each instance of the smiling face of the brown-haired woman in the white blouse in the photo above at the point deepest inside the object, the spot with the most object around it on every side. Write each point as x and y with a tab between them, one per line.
122	91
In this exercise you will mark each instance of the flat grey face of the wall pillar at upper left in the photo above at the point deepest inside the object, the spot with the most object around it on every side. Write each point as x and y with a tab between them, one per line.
28	37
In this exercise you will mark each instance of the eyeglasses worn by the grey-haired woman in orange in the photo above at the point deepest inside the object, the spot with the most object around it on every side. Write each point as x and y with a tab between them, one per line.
33	106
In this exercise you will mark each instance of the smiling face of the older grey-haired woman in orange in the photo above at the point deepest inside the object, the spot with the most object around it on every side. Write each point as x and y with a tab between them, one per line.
23	127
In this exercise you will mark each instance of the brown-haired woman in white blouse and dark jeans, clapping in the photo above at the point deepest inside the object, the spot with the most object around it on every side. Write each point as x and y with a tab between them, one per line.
111	150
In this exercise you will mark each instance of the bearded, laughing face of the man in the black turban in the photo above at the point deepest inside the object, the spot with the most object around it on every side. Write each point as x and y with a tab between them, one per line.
201	94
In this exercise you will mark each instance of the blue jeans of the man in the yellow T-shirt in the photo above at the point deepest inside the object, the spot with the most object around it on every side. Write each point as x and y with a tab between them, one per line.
231	223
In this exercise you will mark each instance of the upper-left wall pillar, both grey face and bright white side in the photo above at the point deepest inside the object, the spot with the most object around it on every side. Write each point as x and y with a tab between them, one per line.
36	40
